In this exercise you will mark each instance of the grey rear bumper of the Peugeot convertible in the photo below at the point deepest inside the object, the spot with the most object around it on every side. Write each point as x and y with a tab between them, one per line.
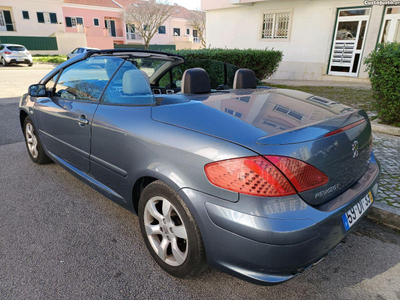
270	240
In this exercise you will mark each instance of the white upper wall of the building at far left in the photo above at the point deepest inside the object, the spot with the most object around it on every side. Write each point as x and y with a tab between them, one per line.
31	27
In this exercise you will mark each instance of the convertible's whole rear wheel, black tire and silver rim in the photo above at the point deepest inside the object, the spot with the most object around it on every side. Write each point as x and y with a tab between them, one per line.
182	258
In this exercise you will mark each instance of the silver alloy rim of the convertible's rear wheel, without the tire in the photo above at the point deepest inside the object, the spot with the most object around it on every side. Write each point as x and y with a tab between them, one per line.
166	231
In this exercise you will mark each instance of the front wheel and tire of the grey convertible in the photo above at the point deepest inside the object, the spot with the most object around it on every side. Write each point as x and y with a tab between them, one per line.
33	144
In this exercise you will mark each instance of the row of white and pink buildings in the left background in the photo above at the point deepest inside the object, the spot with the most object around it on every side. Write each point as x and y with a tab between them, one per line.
59	26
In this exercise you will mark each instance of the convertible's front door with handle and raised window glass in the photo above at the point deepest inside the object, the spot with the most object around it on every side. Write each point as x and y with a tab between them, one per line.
65	118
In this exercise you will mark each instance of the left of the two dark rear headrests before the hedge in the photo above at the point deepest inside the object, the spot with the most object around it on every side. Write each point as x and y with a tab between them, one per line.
195	81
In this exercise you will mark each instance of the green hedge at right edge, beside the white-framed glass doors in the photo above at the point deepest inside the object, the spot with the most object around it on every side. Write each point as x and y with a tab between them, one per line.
383	66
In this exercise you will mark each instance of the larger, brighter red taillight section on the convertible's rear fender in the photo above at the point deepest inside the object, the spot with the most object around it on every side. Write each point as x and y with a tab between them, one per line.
249	175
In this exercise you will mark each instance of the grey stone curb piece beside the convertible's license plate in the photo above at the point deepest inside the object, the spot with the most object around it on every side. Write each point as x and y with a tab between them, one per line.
385	214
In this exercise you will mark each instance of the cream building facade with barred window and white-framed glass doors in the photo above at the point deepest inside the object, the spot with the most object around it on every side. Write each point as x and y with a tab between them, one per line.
320	40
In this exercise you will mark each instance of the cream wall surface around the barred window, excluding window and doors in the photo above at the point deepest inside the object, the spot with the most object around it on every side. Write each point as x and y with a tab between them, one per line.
306	53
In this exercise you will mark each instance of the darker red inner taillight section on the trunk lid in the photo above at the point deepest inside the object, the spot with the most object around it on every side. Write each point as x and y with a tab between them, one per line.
302	175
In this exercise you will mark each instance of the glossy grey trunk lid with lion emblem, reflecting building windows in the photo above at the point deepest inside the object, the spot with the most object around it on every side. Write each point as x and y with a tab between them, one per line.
283	122
